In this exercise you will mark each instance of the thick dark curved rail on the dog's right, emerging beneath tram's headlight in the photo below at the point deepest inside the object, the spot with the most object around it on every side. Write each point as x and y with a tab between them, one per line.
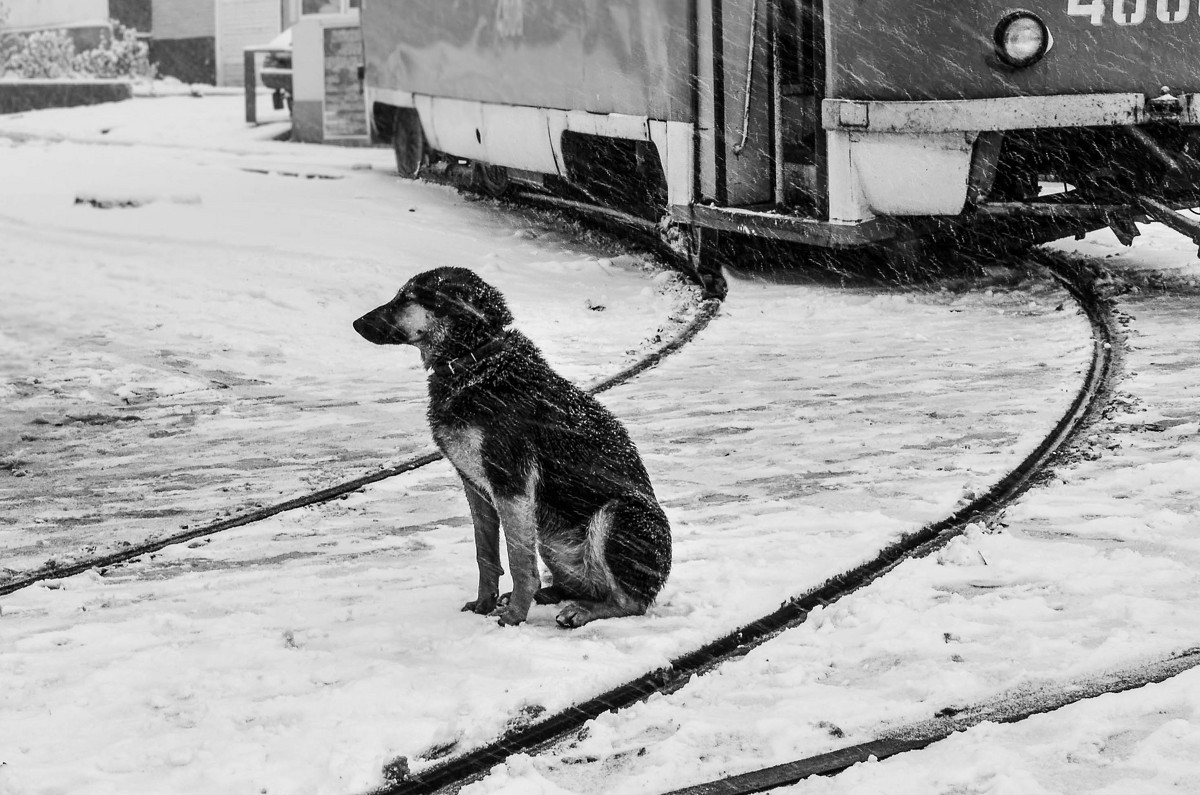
453	774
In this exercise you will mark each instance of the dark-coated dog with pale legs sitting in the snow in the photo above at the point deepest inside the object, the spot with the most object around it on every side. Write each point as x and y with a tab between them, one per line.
537	456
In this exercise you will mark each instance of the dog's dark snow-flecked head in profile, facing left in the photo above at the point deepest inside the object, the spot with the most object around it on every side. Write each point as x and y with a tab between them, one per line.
441	308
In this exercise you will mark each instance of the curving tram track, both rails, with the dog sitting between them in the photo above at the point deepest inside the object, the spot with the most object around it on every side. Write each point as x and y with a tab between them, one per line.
453	774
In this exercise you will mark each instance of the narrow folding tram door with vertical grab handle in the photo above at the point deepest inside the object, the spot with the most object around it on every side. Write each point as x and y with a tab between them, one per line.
761	74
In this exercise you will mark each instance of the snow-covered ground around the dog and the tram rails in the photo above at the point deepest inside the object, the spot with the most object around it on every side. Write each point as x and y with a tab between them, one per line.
161	364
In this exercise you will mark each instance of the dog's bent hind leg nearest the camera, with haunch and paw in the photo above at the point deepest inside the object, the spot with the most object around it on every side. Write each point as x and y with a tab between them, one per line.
628	559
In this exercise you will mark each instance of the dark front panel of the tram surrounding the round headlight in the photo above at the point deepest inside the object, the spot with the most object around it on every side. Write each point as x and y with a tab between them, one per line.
926	50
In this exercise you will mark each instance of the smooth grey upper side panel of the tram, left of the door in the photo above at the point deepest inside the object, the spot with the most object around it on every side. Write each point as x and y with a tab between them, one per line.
628	57
